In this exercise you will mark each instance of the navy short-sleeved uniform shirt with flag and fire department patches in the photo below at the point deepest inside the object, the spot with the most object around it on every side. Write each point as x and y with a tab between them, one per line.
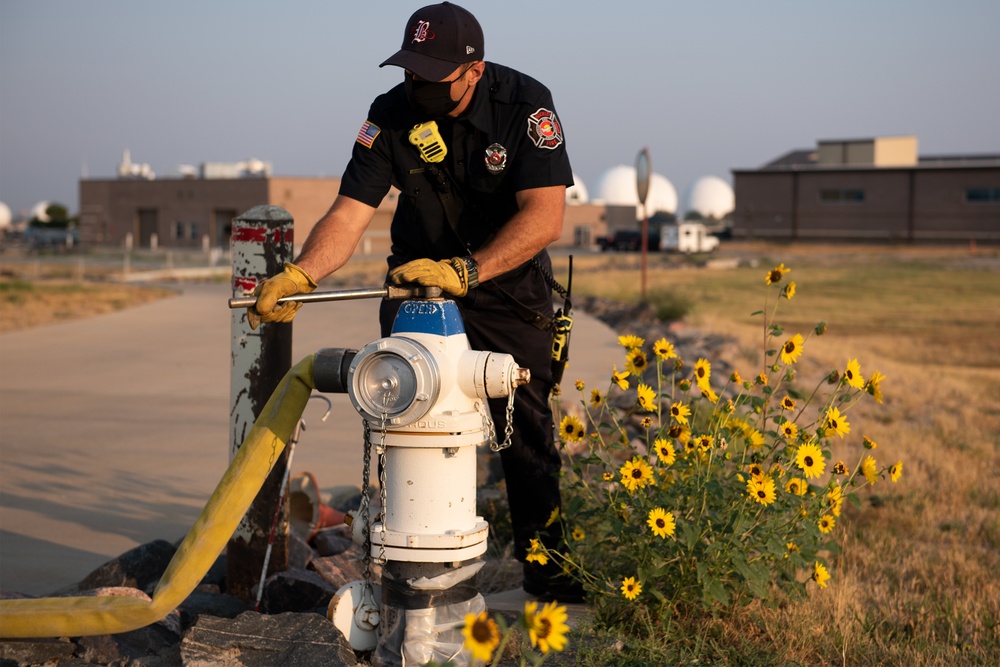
509	139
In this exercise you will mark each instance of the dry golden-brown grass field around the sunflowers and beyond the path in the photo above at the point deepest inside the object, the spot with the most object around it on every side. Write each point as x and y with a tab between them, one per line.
918	579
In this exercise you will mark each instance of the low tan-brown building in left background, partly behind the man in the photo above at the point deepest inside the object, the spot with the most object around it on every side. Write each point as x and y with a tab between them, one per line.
198	212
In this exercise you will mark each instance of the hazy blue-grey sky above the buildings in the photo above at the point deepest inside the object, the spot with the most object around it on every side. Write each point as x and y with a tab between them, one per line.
707	86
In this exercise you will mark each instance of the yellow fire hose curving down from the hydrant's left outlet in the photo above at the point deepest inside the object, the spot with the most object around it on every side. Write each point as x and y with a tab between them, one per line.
80	616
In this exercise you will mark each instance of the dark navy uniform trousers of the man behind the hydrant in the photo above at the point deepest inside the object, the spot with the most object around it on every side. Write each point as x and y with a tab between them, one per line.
531	464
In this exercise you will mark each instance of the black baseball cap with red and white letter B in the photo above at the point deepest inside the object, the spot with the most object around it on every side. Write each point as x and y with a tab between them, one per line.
438	39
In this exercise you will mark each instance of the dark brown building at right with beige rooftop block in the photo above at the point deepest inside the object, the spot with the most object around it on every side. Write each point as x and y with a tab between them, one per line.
869	189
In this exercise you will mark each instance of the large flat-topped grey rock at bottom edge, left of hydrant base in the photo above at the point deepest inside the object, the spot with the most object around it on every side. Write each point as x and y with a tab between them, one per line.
256	640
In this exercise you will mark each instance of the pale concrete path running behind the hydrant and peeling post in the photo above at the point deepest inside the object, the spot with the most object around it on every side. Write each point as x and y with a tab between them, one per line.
114	430
